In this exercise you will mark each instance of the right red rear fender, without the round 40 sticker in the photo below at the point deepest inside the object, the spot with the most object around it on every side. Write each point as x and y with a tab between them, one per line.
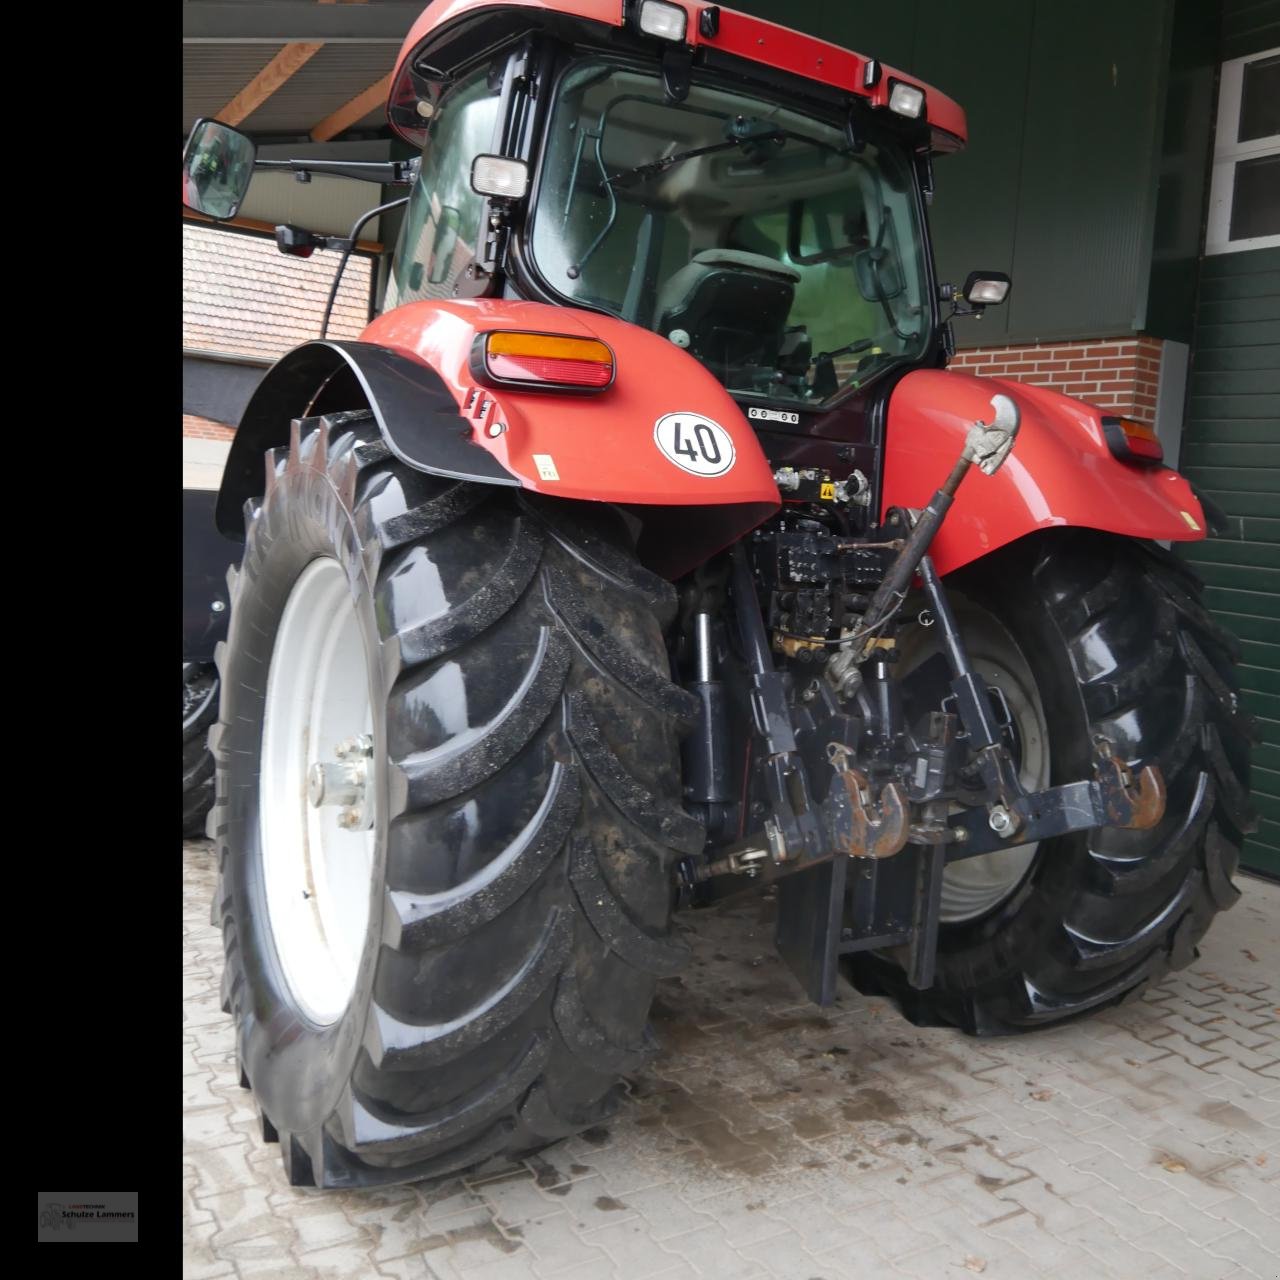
1060	472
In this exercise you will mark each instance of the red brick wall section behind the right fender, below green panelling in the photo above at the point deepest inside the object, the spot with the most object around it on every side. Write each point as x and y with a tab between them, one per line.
1117	374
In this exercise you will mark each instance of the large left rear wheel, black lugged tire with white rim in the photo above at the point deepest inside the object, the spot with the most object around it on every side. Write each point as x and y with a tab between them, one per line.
449	808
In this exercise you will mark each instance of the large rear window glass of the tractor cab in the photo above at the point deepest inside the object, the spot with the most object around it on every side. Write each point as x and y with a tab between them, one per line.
789	262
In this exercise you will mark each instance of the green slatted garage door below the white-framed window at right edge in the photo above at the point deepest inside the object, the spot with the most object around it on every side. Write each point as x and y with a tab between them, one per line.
1232	451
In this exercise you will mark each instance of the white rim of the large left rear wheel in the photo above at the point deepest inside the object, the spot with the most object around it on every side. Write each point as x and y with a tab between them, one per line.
318	876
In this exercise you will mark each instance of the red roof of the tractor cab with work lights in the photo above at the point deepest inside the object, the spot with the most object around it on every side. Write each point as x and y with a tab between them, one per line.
714	28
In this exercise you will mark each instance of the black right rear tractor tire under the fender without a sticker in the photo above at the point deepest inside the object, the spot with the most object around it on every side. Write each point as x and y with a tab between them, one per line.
1087	634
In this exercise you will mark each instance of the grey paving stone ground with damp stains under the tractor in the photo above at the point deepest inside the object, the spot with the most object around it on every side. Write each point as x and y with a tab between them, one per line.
776	1140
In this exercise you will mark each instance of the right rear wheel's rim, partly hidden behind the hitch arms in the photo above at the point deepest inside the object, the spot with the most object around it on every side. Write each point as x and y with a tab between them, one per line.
975	886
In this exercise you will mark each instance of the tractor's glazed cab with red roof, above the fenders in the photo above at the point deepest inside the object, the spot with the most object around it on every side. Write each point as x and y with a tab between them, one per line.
770	225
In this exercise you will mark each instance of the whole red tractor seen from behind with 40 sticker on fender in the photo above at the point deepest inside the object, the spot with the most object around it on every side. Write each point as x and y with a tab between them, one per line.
632	559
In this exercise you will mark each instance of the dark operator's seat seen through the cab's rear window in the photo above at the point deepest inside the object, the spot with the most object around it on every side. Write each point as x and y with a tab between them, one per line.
733	305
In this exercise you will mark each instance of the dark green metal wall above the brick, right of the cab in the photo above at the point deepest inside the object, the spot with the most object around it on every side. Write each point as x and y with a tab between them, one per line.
1077	179
